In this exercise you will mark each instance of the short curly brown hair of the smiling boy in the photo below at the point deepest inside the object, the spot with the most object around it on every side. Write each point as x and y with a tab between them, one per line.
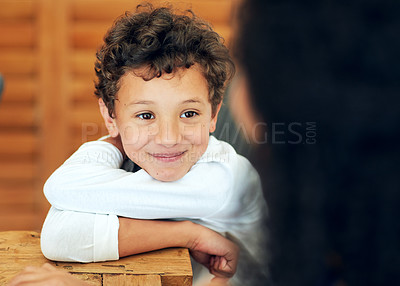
161	42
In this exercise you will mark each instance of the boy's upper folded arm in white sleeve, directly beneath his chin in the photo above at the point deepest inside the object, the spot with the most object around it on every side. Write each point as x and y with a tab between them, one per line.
91	181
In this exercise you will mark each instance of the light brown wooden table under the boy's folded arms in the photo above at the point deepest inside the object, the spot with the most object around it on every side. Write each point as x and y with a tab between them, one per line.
19	249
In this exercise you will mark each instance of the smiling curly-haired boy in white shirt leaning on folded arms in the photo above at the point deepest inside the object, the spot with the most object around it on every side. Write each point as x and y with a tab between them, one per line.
161	79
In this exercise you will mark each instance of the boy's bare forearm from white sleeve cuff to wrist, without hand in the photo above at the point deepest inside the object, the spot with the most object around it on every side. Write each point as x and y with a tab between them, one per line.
137	236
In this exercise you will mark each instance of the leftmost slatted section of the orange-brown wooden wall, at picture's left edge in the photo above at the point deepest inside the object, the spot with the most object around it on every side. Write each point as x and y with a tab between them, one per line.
18	123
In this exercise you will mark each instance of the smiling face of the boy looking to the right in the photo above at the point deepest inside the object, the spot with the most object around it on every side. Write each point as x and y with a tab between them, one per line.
164	123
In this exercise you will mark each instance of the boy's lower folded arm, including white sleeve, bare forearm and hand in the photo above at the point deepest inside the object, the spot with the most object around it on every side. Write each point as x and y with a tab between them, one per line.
86	237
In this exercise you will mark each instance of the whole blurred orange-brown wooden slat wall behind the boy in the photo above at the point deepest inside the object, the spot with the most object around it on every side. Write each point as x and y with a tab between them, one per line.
48	109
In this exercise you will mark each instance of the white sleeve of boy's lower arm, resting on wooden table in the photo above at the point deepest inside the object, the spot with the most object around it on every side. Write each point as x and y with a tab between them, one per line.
79	237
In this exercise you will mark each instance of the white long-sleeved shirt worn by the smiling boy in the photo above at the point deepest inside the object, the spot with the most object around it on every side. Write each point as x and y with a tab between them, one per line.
222	191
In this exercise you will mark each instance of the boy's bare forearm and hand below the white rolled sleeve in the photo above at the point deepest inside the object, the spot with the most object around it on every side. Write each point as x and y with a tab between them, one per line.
217	253
